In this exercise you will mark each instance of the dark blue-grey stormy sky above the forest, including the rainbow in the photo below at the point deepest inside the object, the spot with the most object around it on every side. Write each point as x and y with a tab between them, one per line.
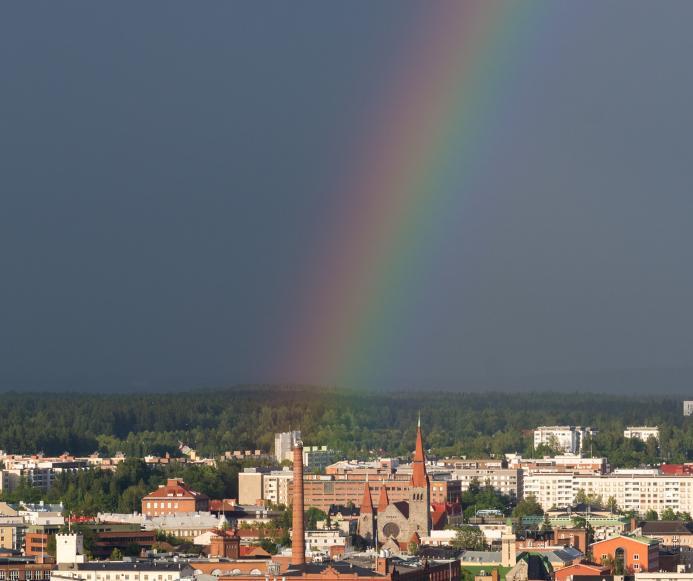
186	195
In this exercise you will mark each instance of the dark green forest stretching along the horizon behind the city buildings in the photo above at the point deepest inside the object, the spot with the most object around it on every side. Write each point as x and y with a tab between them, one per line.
354	423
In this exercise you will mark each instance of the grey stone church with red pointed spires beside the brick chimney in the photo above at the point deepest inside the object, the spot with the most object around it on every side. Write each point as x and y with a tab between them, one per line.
396	525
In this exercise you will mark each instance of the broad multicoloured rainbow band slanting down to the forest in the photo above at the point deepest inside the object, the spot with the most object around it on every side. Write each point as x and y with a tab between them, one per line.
419	157
